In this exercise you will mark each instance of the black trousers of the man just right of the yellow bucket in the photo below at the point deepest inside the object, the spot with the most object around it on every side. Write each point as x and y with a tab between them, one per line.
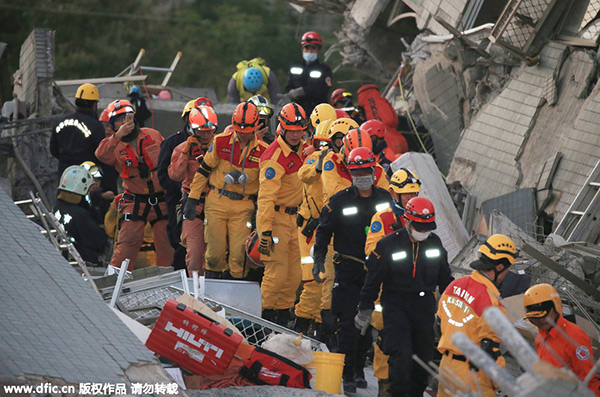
345	295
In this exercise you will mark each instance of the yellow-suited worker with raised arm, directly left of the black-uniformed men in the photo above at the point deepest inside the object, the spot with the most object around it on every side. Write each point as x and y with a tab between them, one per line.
315	297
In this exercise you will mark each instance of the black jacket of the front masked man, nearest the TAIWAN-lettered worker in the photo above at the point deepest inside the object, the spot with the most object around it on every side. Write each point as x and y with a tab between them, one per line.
393	263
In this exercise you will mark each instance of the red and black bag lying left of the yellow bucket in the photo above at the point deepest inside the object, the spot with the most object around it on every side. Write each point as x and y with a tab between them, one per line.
267	368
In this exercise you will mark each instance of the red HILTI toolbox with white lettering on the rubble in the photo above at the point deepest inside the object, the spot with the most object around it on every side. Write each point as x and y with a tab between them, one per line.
192	340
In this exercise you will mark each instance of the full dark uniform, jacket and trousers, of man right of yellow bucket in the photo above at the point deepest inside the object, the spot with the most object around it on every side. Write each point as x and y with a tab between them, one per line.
347	217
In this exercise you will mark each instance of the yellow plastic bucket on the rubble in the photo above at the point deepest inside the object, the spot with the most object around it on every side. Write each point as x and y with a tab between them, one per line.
327	369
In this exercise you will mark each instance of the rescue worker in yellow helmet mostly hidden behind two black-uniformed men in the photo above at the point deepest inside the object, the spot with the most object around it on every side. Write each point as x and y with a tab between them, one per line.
404	185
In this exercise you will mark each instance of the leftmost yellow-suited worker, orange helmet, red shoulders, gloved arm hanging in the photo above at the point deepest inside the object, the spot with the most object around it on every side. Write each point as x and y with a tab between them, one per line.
230	171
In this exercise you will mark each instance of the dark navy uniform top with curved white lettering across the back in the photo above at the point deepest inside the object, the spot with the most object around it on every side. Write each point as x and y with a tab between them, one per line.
75	137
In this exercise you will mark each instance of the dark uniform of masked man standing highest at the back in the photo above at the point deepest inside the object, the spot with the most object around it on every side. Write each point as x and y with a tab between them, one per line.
315	78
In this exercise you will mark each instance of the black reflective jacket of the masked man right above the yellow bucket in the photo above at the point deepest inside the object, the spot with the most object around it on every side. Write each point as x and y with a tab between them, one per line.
347	217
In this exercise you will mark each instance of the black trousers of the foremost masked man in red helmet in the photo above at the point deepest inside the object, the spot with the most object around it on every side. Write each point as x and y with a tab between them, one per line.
407	330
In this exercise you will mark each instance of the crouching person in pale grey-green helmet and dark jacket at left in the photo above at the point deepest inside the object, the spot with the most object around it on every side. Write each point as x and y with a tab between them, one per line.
76	216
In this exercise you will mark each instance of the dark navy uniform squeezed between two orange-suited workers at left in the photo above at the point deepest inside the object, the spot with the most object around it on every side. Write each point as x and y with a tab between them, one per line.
172	194
